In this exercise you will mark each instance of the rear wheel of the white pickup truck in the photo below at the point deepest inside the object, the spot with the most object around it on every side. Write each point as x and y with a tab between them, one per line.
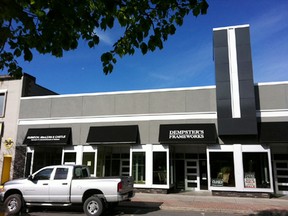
93	206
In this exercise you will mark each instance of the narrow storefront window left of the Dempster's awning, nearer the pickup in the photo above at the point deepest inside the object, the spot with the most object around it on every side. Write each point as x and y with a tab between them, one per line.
138	167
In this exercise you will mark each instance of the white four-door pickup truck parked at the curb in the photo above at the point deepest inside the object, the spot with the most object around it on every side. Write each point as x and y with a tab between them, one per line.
65	185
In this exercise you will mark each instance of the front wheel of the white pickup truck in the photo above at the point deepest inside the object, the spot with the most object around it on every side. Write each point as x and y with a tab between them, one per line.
13	204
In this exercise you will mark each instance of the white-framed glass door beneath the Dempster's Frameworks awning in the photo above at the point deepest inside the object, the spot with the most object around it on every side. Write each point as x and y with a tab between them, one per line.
192	175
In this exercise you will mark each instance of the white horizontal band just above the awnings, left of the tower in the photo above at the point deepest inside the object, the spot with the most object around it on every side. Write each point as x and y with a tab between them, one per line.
119	118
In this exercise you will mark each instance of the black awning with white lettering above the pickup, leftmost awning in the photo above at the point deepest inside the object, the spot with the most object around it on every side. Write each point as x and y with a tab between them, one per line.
48	136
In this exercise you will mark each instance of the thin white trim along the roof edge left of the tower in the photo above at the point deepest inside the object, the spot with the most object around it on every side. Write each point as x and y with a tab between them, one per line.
121	92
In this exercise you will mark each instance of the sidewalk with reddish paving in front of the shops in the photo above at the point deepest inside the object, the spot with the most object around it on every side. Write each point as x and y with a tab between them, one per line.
207	203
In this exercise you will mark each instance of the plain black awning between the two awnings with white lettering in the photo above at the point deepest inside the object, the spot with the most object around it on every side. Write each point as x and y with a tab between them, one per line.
120	134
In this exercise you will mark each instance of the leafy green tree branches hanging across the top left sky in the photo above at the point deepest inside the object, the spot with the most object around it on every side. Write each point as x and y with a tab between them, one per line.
55	26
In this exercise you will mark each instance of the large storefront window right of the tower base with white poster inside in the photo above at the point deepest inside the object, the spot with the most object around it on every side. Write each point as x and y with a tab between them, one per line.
256	170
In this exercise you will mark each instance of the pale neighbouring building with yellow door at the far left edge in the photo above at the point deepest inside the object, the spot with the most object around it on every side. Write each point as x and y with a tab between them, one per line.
11	90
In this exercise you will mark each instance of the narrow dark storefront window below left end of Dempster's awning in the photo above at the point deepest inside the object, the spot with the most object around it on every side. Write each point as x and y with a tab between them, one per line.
159	168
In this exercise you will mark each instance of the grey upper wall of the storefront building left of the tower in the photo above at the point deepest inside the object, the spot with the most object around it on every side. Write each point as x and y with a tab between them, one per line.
138	104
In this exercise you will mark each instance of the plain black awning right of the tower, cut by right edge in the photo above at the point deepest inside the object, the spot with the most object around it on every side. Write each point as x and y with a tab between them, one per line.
273	132
